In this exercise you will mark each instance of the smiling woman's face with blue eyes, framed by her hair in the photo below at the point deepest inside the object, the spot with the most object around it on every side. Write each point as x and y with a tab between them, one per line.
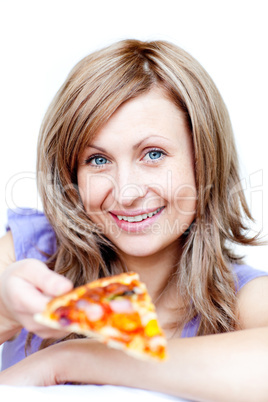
137	180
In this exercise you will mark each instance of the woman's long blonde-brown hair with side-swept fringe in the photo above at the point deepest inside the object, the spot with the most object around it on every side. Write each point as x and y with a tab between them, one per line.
96	87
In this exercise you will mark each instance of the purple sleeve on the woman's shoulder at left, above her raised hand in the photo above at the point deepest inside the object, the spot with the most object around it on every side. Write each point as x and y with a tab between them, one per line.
32	234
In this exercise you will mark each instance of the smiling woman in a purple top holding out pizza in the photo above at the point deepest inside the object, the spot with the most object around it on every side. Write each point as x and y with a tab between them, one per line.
137	170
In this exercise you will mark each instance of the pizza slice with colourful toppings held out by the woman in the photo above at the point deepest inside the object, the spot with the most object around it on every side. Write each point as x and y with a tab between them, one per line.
116	310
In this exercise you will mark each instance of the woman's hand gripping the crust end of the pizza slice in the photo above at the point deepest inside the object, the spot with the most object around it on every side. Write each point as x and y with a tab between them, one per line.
25	288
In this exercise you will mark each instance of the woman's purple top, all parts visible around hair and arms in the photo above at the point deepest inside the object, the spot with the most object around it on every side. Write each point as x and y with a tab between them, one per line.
34	238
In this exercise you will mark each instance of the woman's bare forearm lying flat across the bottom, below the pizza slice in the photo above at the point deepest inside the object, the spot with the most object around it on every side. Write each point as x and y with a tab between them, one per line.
226	367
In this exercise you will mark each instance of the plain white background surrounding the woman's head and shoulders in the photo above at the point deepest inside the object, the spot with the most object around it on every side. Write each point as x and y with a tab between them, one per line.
41	40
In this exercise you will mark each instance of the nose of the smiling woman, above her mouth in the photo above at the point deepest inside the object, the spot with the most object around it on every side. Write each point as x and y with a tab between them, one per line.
129	187
